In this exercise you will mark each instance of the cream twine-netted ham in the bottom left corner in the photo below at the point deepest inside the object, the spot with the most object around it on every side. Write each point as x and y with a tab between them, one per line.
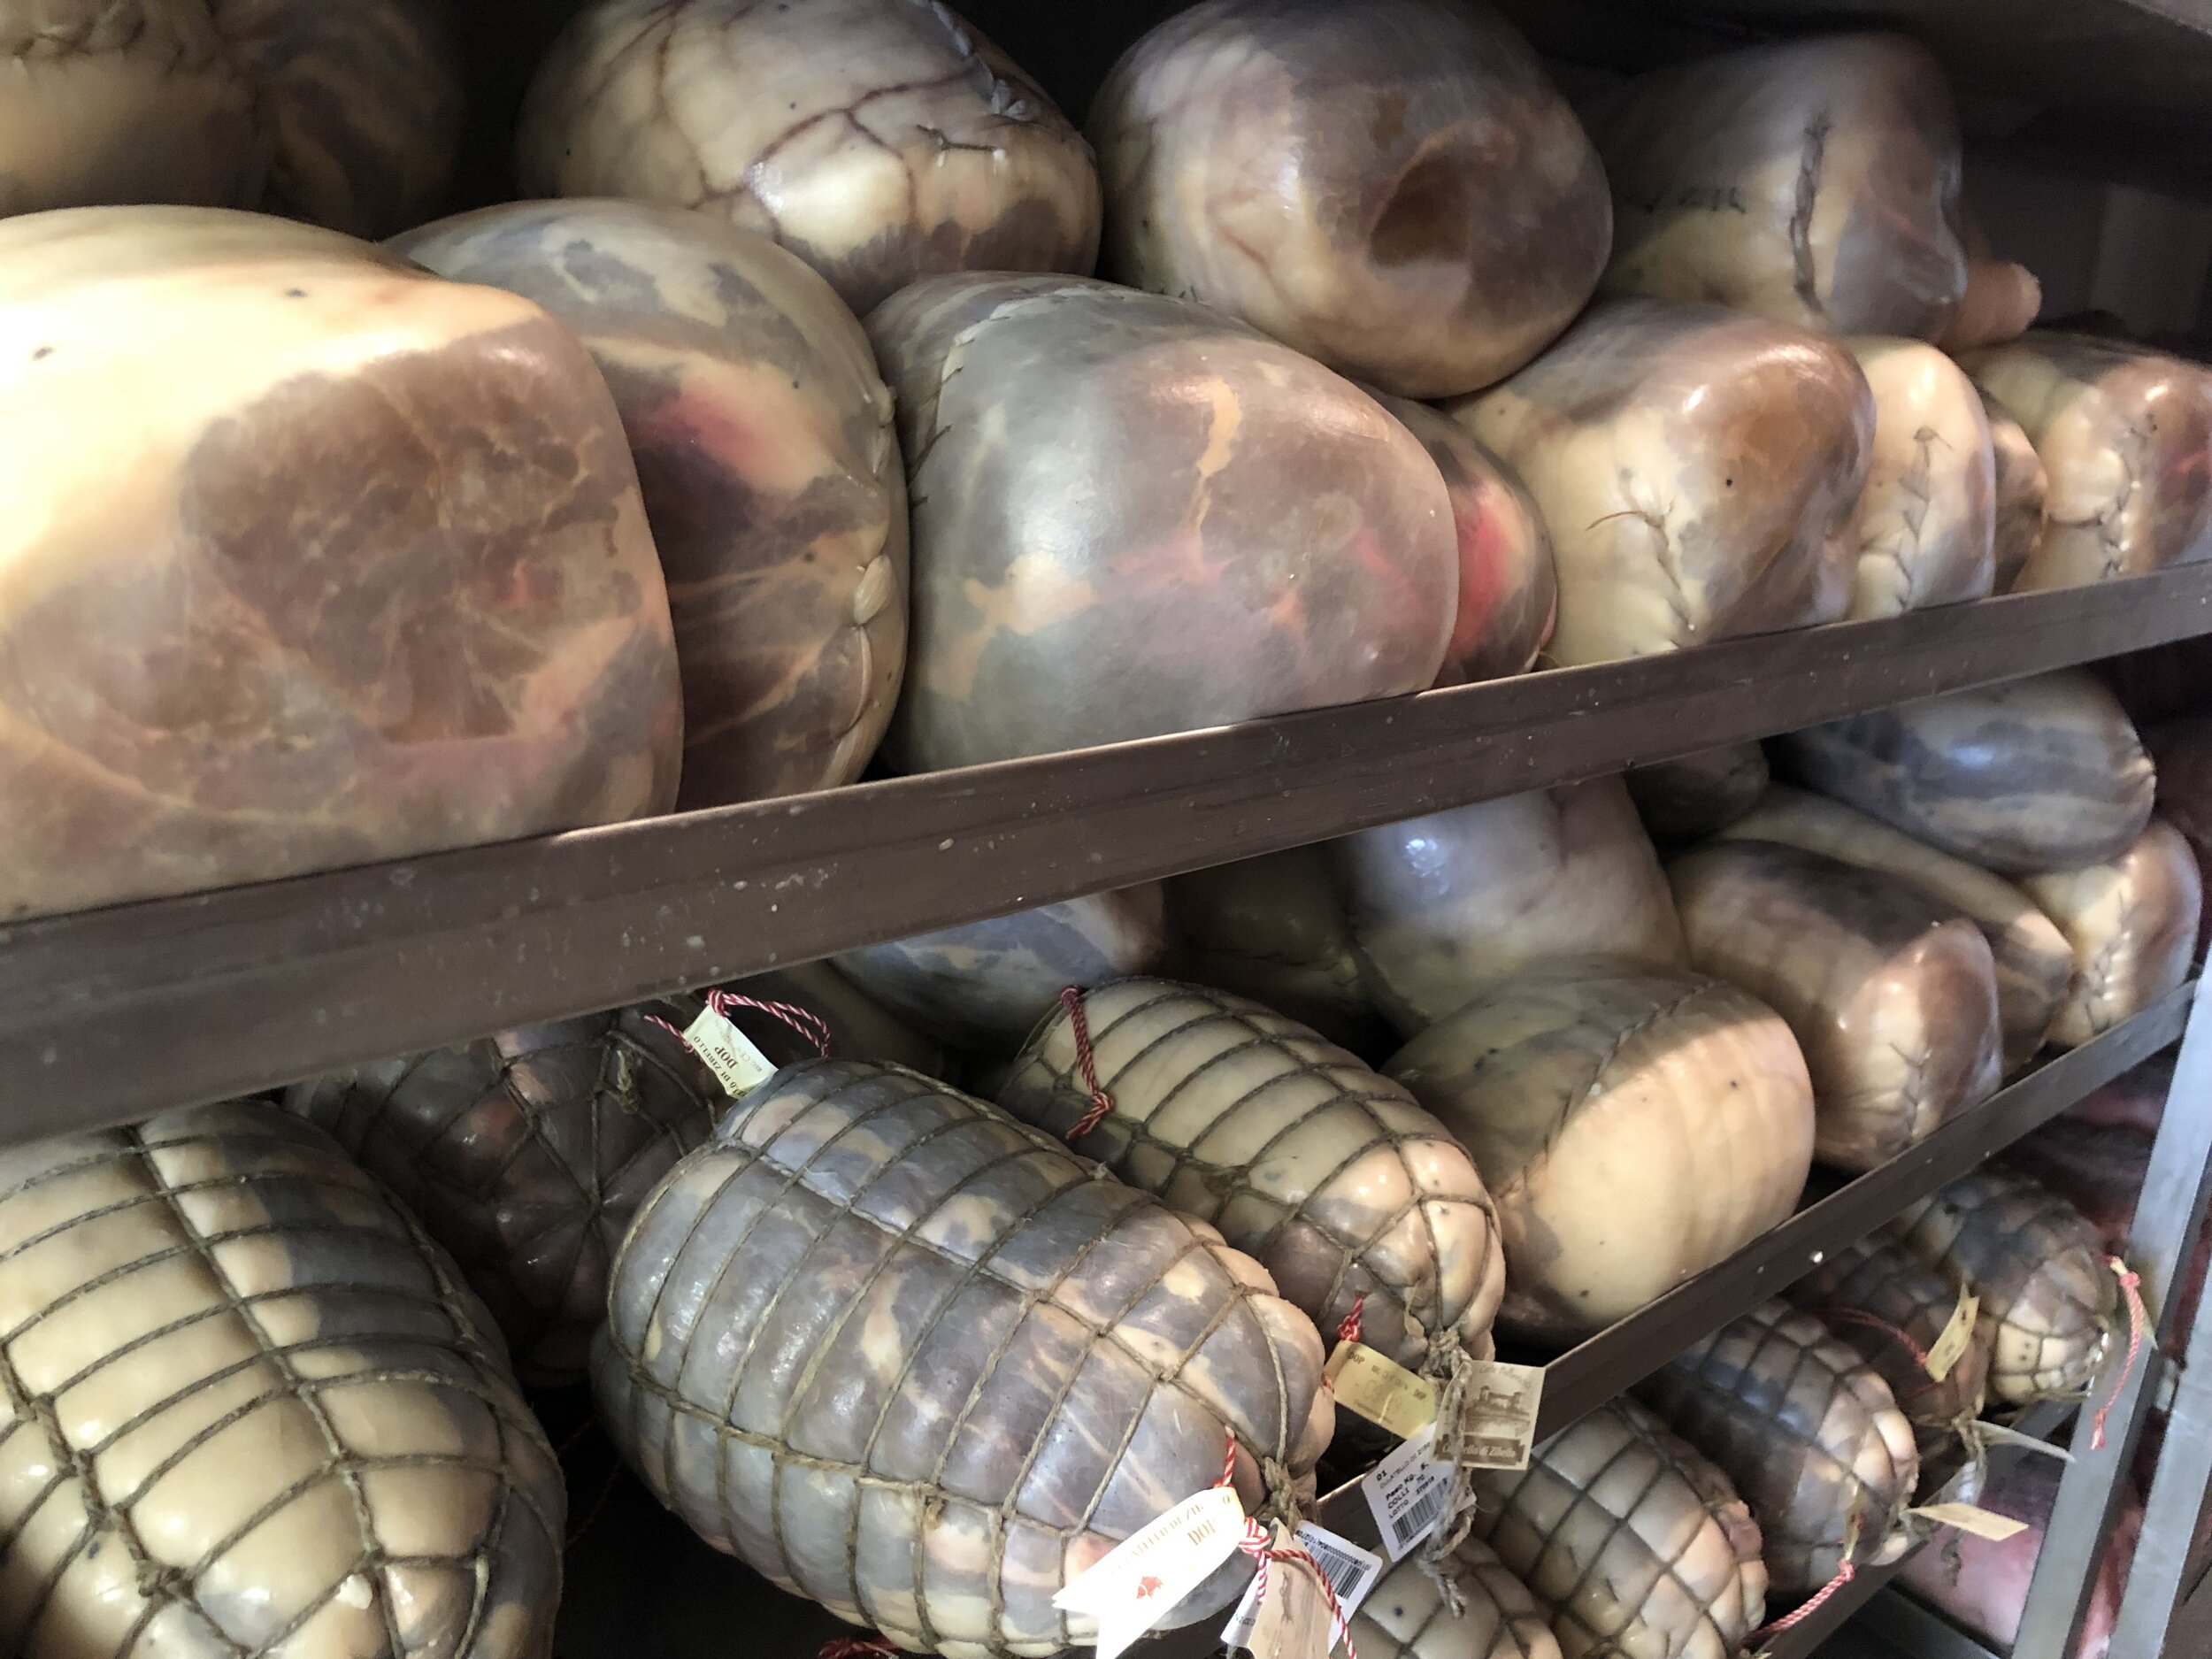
251	1410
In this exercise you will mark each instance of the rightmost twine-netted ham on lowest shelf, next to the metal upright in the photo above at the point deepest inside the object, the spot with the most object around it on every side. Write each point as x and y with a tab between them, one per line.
2049	1304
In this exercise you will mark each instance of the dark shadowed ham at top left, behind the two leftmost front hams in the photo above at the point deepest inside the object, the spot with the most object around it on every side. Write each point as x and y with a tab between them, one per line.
364	105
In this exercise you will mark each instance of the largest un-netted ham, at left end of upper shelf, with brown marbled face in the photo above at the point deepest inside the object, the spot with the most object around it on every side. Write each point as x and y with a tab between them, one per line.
317	561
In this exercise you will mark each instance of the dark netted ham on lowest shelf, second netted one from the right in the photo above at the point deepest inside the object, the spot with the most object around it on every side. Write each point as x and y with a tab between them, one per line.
1892	1308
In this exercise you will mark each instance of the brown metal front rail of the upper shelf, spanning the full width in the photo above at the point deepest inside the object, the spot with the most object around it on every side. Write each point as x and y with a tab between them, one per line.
109	1016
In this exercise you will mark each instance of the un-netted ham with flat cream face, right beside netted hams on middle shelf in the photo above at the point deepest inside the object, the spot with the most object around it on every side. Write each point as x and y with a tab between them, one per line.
1634	1129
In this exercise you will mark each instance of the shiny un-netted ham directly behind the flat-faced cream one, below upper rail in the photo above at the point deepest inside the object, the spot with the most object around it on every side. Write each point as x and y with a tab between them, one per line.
1450	904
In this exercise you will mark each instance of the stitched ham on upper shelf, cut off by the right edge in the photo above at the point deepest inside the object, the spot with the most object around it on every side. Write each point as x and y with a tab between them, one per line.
2122	435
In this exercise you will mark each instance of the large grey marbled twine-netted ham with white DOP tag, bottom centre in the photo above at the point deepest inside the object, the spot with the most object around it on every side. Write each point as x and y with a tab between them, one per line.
924	1366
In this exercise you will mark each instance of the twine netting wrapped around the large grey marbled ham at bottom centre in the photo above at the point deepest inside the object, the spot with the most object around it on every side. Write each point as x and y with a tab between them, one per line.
864	1105
